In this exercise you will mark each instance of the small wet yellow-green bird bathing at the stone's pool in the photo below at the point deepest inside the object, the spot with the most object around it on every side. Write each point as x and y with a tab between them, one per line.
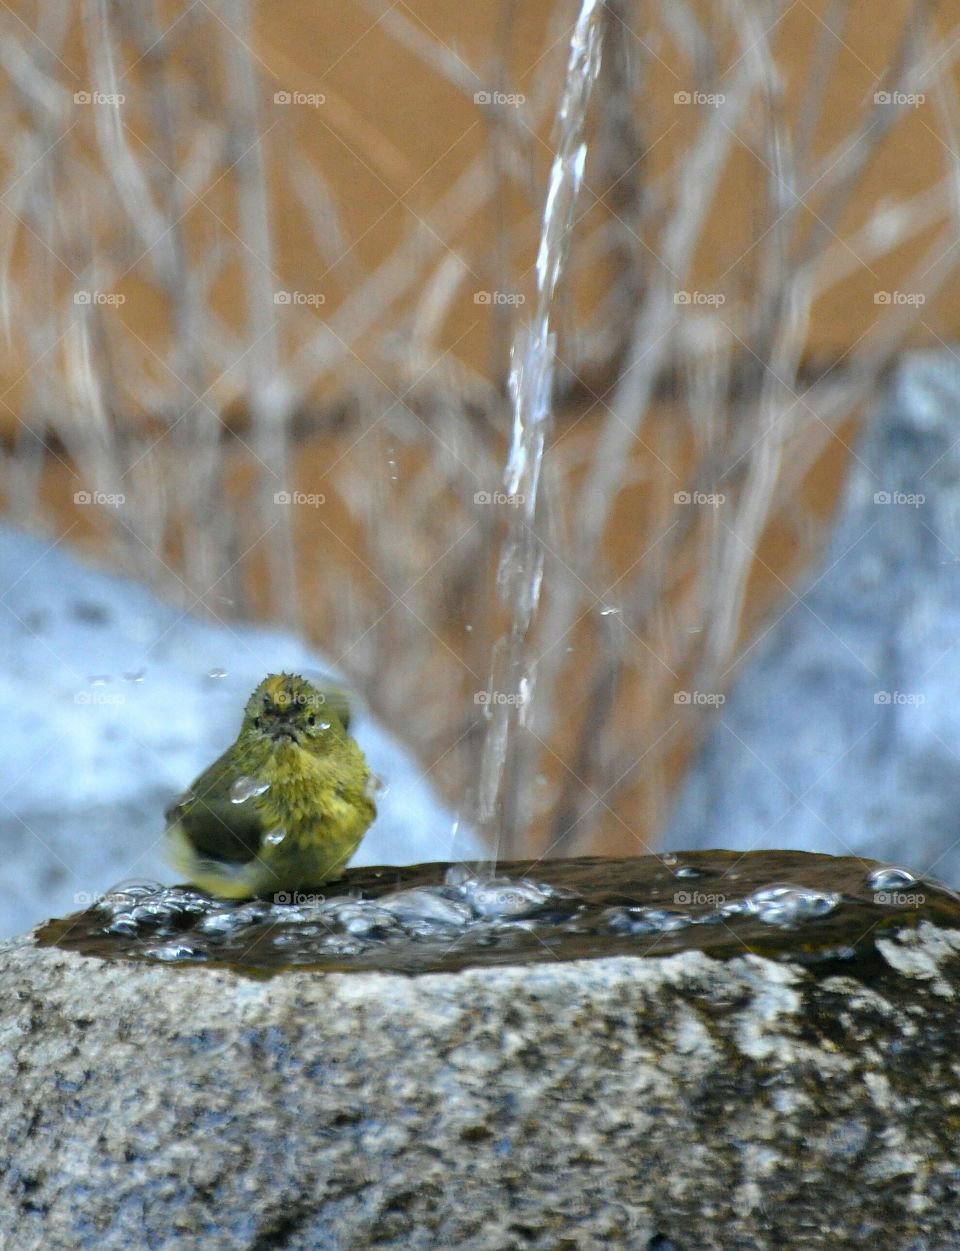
286	806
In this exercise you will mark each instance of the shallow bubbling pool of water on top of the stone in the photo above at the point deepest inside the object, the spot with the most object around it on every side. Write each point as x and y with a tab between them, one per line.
420	919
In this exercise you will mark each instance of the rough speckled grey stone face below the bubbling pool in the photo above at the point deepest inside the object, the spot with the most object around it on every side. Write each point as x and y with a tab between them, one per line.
674	1104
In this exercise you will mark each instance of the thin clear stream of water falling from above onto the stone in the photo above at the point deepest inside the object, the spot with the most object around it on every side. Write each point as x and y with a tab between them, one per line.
503	810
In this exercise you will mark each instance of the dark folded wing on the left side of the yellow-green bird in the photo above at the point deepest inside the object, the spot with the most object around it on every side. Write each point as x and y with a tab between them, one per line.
216	825
